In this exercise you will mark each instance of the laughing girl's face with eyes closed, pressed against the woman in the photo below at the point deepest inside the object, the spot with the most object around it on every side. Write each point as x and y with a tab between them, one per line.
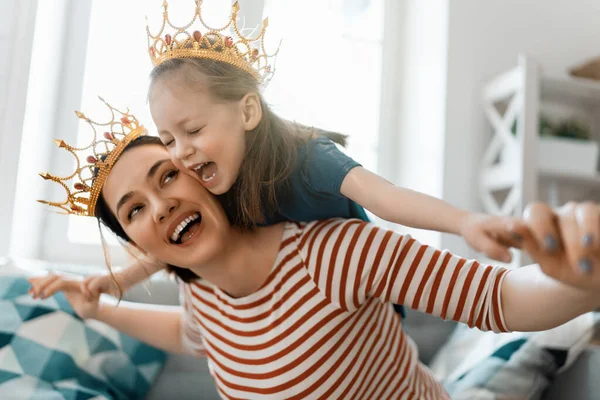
203	136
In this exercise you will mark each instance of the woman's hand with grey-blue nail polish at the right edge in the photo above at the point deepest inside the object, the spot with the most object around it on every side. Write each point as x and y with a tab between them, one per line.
565	242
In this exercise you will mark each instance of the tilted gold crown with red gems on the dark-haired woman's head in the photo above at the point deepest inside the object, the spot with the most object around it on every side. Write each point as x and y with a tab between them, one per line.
95	161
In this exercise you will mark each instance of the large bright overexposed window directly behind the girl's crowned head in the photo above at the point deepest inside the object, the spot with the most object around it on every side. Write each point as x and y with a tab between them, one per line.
328	70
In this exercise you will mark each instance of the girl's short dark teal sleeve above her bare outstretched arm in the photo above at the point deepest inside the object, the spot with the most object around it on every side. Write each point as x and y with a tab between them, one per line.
326	166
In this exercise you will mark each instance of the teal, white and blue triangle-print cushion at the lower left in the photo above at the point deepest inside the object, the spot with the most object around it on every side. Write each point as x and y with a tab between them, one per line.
48	352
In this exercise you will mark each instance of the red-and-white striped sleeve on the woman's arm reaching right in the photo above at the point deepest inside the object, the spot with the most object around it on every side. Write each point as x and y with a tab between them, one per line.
352	261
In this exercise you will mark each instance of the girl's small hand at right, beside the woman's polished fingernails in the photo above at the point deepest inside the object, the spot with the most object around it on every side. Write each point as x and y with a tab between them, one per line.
490	235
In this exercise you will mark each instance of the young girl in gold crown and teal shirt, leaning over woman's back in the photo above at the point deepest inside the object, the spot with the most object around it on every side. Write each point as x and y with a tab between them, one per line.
205	101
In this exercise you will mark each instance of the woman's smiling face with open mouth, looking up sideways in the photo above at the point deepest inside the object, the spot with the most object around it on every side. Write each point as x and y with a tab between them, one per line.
168	214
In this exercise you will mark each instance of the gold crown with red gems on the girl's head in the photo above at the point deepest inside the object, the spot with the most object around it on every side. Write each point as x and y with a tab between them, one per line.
224	44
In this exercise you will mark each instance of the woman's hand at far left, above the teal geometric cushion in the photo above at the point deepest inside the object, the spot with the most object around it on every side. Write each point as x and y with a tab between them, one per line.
45	286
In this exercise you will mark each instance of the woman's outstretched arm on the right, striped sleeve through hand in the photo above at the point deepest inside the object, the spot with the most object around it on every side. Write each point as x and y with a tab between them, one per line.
356	261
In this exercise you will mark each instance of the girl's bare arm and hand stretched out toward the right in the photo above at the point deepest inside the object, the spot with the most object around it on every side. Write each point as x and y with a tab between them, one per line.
418	210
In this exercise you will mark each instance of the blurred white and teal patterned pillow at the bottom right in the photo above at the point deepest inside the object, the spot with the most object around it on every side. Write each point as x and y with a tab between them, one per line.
513	365
